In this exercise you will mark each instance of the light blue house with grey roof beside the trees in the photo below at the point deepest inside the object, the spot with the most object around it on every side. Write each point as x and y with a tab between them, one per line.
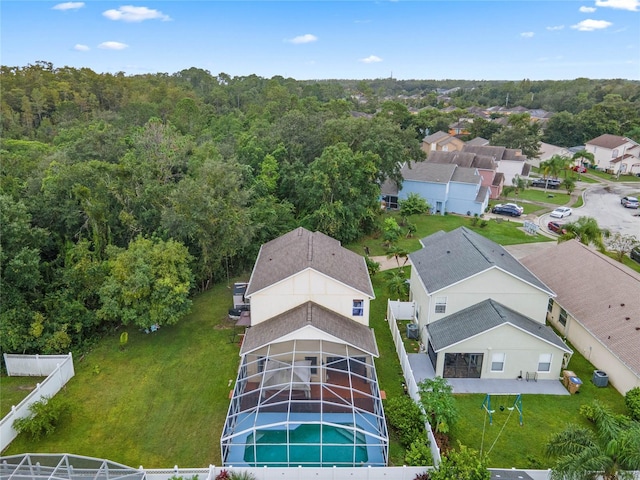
448	188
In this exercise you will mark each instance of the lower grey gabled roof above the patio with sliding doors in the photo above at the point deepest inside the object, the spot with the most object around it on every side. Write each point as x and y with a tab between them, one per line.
482	317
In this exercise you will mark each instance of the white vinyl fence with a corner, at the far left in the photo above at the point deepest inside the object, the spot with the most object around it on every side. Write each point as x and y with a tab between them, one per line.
57	368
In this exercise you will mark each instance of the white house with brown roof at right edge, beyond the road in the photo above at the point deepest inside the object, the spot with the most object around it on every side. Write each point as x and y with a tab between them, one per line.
615	154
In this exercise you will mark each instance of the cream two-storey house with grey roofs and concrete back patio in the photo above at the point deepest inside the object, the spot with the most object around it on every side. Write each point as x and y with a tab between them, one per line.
481	313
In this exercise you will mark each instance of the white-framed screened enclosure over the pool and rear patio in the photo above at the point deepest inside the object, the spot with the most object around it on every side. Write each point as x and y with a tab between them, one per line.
307	403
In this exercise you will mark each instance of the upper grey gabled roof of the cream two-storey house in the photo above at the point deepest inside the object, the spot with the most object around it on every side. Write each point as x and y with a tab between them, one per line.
448	258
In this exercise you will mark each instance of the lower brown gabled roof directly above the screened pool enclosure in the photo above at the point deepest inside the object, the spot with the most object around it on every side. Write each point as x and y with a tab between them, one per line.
313	315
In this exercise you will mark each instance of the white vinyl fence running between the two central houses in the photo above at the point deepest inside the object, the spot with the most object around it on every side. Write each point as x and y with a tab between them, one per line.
397	310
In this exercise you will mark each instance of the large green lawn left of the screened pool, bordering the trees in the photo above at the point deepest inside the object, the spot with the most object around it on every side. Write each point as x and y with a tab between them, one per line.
160	402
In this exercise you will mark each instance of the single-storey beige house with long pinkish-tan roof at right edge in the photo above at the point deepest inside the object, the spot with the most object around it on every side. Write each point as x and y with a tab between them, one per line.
597	307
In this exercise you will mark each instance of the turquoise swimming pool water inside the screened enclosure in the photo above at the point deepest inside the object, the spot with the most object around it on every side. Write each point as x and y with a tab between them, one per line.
340	447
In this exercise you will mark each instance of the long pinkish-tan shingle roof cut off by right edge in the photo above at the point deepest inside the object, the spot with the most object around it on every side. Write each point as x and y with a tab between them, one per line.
599	292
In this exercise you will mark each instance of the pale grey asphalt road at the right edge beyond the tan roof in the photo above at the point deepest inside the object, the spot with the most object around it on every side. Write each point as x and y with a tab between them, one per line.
602	202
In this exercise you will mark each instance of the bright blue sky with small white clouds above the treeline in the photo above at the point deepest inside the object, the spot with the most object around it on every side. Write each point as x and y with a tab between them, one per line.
413	39
